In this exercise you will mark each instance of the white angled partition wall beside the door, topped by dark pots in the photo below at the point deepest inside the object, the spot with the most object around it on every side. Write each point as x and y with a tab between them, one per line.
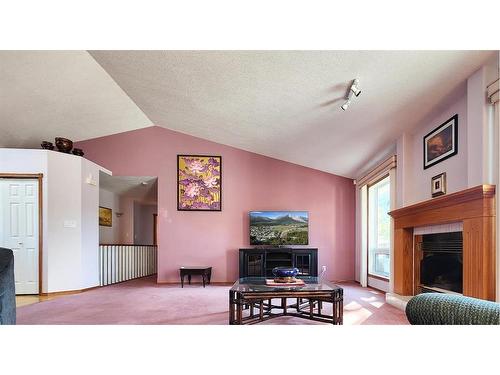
69	212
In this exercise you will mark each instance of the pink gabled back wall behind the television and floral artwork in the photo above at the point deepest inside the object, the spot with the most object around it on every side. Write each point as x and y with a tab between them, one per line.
250	182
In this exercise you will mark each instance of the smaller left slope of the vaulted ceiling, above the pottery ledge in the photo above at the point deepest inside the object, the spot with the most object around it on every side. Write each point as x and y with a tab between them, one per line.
48	94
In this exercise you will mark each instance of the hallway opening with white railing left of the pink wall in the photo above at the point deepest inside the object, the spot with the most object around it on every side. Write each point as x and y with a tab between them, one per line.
128	227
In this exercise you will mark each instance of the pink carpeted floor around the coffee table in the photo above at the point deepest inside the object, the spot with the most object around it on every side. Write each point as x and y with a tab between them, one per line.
142	301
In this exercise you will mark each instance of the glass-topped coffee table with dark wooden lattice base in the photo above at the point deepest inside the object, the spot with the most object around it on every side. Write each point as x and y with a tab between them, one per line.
251	293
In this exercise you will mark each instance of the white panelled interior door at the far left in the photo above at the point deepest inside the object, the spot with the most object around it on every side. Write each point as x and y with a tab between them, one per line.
19	230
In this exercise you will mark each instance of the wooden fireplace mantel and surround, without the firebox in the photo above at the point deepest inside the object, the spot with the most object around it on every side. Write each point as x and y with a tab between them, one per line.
475	208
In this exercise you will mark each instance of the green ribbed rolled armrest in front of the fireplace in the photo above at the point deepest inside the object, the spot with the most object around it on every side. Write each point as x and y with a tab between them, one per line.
439	308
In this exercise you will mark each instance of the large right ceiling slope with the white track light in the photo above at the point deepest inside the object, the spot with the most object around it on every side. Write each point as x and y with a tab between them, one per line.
286	104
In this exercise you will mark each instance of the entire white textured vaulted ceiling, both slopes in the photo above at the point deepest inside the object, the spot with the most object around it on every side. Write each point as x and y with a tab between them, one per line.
283	104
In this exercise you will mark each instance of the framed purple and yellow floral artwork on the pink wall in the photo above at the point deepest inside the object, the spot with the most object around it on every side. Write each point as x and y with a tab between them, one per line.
199	183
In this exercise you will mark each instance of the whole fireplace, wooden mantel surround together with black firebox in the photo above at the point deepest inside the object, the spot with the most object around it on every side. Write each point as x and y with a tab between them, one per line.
474	209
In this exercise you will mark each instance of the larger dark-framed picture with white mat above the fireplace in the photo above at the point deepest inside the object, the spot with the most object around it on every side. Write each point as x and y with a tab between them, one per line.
441	143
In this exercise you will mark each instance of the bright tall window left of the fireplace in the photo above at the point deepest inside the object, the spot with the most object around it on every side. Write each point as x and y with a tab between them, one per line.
379	228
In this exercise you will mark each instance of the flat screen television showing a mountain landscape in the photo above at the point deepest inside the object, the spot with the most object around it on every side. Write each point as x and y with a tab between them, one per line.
279	228
